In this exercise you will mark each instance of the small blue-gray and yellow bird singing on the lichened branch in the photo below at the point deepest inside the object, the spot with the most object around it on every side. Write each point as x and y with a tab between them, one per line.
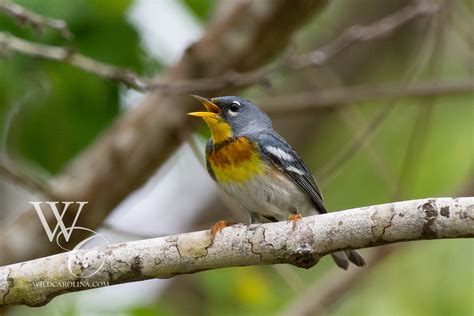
258	169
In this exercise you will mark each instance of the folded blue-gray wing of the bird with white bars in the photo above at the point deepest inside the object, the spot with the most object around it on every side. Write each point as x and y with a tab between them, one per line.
285	158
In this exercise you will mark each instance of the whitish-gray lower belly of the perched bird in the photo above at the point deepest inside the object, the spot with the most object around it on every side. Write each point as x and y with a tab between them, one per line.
271	194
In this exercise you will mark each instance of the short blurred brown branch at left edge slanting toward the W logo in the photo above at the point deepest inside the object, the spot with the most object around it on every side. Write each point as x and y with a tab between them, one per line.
11	172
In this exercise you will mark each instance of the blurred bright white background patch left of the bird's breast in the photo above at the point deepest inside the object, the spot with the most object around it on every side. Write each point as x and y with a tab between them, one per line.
168	202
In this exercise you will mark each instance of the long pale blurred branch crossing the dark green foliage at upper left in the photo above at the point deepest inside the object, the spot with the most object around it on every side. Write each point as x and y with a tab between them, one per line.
12	43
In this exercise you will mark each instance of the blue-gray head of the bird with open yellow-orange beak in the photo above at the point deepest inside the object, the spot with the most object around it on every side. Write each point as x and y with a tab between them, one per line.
242	116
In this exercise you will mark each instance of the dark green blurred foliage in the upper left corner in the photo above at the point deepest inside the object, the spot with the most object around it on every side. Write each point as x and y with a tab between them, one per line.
61	109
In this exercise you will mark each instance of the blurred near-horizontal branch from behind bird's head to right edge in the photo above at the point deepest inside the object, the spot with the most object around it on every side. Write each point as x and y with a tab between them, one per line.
329	99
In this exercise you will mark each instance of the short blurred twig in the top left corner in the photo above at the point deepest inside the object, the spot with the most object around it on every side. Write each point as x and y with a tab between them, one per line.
24	16
